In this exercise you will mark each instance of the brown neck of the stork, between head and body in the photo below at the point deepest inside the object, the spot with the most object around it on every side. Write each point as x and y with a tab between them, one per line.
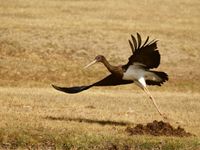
113	69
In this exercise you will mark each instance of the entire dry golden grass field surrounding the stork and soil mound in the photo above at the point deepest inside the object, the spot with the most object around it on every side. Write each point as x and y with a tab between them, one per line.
49	41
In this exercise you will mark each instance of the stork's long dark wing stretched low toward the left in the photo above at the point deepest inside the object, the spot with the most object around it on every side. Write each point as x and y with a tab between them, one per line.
110	80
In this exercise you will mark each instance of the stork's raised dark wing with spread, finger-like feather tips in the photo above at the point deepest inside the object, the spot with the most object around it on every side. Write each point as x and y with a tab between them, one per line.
146	53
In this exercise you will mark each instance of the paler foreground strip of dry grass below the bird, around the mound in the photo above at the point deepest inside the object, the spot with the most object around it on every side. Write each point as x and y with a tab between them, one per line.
44	118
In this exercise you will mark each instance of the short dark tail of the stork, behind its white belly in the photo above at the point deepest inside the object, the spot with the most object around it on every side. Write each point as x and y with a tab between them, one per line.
160	78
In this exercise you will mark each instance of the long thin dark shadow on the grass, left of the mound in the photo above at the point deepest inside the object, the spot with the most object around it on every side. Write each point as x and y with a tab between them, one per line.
91	121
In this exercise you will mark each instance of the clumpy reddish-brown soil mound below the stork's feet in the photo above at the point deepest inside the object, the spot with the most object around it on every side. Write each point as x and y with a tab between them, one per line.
158	128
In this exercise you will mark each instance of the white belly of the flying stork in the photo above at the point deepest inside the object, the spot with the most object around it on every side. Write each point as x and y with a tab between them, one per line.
133	73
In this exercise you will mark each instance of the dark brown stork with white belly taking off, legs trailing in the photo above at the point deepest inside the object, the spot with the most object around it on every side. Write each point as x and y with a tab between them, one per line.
138	69
